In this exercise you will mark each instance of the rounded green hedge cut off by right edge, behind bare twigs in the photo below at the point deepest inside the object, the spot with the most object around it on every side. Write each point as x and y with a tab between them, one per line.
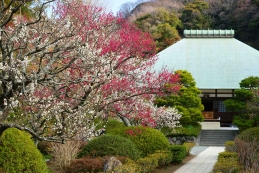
250	135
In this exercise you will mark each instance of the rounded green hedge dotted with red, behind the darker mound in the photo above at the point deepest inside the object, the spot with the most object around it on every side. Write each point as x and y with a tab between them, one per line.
146	139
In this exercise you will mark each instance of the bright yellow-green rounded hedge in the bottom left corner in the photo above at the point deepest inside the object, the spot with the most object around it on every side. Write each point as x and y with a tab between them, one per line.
18	153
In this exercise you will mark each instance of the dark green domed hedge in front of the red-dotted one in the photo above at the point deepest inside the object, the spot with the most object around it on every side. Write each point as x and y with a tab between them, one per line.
110	145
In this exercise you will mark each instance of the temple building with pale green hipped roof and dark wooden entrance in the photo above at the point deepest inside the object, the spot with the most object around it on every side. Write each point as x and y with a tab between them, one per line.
217	61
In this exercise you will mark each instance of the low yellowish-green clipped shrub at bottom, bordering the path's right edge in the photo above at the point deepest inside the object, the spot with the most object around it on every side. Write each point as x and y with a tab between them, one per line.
227	162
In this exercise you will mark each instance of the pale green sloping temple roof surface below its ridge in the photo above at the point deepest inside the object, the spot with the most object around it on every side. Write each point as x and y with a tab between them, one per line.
215	63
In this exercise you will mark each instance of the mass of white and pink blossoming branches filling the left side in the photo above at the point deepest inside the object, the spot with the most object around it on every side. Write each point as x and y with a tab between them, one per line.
58	74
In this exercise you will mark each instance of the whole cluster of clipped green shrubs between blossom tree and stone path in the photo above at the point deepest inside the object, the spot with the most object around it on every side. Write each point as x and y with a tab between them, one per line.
151	145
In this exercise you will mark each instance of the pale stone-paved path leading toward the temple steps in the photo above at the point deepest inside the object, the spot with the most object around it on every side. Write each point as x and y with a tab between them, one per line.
203	162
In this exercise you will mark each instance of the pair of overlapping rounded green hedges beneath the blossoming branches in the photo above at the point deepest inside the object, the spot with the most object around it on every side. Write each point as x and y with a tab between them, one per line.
133	142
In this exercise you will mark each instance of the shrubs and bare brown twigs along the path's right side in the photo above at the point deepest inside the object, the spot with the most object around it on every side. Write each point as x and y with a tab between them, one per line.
246	145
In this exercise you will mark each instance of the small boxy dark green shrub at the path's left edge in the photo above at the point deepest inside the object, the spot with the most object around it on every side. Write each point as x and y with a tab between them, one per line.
178	152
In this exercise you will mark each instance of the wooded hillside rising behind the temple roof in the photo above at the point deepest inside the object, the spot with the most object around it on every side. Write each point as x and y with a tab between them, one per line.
166	19
